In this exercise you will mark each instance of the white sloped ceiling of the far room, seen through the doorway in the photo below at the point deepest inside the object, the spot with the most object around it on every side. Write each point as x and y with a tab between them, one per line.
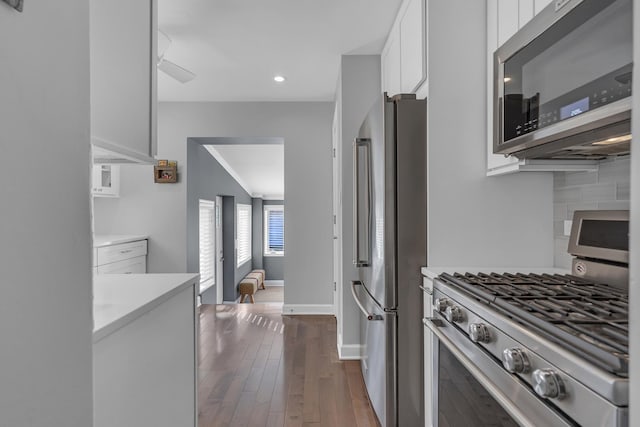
258	168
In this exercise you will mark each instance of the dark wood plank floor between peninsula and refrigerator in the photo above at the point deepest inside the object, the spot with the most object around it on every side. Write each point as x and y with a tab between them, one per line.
258	368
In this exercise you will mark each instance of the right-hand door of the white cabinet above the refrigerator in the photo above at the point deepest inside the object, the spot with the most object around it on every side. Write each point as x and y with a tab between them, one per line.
412	46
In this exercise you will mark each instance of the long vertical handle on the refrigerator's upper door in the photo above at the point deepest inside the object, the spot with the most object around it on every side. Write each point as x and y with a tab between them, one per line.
361	246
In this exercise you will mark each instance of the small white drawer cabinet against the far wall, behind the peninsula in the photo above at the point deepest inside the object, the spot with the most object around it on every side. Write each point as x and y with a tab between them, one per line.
123	258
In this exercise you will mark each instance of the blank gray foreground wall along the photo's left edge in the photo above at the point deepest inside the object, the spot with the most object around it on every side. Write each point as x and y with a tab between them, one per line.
45	232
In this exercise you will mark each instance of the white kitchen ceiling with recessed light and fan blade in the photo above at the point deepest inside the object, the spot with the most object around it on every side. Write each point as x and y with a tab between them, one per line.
236	47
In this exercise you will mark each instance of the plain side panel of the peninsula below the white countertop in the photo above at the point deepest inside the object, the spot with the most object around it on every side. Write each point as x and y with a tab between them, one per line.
144	373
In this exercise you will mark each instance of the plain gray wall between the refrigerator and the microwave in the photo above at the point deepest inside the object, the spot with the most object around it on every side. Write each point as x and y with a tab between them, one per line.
475	220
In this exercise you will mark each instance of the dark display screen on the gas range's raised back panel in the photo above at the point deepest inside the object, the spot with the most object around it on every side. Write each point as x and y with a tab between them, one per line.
604	234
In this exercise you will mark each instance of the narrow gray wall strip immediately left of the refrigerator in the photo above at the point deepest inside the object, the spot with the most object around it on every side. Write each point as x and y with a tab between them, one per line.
359	86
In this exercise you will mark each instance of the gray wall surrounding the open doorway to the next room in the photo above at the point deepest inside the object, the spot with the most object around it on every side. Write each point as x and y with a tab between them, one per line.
306	129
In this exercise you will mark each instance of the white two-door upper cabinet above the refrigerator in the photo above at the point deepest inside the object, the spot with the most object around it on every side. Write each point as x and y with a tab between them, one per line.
404	54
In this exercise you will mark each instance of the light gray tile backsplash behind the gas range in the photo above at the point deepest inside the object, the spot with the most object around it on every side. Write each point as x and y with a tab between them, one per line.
606	188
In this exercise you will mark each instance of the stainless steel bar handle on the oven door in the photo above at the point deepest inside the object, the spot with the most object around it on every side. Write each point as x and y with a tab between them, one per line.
434	324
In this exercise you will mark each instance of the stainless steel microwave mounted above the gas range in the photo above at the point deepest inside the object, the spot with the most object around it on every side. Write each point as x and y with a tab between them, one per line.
562	84
